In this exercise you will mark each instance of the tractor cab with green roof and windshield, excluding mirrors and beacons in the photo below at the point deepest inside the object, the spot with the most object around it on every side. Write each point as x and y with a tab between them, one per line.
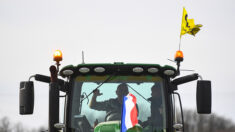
88	111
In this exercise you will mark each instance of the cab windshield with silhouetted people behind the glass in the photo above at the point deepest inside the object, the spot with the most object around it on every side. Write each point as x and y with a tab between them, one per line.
105	104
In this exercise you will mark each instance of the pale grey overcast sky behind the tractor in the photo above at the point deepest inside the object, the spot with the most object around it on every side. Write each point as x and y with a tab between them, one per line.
130	31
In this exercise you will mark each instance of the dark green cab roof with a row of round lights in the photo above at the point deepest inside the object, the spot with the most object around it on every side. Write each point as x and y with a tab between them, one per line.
118	68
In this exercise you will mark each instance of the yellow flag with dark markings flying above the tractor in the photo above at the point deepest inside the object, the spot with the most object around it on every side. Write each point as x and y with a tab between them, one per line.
188	25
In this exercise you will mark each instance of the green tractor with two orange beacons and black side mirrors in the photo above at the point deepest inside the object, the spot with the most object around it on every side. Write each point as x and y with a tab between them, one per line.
84	85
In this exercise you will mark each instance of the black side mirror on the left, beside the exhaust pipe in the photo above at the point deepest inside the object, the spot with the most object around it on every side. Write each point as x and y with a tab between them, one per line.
26	97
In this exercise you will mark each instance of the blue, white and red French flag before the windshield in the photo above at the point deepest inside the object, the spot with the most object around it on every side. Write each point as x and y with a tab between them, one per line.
129	112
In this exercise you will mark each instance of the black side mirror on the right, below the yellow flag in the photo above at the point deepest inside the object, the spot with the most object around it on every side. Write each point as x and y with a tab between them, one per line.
204	97
